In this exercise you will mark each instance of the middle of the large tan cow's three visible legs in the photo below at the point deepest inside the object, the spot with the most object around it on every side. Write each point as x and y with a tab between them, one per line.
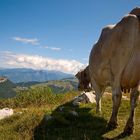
116	98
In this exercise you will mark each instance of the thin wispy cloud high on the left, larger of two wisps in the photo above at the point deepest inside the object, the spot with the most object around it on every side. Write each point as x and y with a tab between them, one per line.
33	41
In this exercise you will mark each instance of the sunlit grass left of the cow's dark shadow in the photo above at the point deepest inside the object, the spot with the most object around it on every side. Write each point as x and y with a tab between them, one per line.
29	106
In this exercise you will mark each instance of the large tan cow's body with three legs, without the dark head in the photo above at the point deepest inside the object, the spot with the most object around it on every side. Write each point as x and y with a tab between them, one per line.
114	61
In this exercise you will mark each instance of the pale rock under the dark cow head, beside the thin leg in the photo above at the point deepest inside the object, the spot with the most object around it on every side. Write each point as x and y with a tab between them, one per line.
86	97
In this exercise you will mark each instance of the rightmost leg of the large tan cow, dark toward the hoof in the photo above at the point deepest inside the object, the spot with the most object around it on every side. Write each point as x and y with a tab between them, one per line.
133	102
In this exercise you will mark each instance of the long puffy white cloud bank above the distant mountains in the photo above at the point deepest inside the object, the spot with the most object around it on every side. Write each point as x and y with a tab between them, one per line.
39	62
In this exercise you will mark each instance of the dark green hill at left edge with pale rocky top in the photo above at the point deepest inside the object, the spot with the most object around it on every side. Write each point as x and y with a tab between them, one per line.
6	88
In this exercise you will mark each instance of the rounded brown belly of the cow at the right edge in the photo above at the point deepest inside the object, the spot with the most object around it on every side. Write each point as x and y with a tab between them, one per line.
131	73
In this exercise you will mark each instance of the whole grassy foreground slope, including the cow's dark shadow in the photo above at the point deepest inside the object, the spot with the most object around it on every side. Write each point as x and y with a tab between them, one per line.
87	126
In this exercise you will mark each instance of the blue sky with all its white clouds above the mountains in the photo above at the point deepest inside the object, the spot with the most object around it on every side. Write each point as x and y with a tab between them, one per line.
55	34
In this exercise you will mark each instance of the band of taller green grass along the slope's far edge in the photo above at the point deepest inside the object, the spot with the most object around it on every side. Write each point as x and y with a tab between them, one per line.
36	96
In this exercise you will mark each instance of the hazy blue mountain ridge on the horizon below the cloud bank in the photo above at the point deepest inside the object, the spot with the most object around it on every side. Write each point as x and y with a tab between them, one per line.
17	75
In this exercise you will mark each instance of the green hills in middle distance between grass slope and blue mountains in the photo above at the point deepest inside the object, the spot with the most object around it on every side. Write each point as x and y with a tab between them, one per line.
9	89
